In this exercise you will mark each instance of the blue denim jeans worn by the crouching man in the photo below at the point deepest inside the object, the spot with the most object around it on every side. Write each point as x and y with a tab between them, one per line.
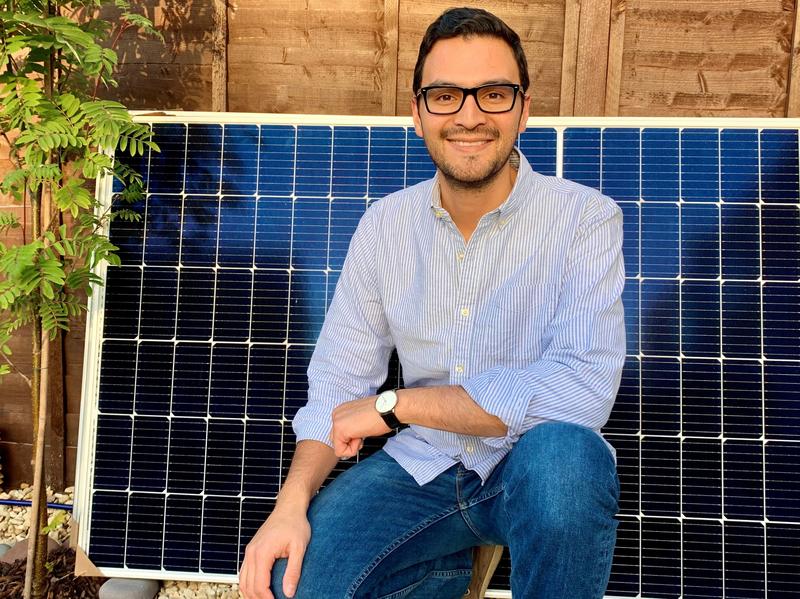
376	534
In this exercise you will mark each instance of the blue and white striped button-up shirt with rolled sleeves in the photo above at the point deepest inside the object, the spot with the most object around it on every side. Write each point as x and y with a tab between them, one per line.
526	316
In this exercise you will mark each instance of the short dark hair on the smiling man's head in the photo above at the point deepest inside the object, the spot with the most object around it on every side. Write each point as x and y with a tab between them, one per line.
467	22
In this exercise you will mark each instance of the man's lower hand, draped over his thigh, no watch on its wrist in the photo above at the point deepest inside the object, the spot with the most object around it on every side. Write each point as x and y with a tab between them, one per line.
282	535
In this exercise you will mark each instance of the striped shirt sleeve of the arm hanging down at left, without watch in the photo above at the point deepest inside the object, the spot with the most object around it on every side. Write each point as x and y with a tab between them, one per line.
351	356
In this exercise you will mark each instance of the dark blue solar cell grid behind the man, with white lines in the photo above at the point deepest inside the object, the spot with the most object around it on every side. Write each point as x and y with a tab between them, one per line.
209	325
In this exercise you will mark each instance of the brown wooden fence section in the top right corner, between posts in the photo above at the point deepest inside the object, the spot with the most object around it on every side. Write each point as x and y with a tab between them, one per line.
692	58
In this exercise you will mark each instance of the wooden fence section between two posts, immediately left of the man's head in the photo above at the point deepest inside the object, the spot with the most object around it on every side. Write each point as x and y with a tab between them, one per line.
332	57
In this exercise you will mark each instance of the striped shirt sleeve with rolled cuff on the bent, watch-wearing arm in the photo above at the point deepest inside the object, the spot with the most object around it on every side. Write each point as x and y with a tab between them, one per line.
578	374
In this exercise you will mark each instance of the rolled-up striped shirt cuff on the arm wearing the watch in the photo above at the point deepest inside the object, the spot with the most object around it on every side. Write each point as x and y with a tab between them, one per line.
500	392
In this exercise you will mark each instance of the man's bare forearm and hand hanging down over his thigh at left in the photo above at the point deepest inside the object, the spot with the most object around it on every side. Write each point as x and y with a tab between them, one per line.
286	532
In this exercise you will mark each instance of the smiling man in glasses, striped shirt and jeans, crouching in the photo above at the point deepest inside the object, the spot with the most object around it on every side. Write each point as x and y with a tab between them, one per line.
500	289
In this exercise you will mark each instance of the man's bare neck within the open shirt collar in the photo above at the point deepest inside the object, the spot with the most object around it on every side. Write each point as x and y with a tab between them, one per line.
466	205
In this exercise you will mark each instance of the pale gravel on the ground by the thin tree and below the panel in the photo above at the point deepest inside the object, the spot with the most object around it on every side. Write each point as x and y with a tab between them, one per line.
14	527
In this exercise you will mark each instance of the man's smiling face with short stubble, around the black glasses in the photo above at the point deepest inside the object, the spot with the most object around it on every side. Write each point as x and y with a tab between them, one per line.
470	147
